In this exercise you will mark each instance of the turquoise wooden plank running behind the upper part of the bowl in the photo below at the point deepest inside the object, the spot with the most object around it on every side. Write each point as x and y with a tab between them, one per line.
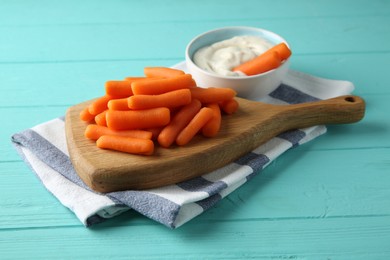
96	42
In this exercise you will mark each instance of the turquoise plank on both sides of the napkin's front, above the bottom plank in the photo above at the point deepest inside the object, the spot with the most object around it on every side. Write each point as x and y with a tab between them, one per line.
289	188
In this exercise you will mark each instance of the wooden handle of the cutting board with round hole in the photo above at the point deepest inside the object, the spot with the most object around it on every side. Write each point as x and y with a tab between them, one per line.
338	110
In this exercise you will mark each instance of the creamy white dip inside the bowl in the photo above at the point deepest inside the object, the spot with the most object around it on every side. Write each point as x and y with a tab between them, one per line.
221	57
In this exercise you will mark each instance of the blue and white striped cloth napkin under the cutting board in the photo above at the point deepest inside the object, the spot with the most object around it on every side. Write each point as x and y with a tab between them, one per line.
43	148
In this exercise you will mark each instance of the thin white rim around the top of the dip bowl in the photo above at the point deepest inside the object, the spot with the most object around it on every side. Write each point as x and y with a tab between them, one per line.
247	28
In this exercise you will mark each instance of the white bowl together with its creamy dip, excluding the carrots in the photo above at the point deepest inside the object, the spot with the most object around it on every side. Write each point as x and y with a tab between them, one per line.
211	56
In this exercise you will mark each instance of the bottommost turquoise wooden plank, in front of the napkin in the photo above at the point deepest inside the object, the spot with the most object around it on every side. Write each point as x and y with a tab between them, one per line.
357	238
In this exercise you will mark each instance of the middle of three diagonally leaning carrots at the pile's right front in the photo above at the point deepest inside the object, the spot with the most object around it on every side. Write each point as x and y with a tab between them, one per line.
200	119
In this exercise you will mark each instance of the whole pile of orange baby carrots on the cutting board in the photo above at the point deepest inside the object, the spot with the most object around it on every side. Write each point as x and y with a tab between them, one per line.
165	106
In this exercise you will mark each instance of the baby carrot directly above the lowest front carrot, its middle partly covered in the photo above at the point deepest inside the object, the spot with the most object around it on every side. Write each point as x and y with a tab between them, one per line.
93	132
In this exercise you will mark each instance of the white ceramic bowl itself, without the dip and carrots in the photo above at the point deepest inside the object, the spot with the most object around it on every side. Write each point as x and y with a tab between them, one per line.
250	87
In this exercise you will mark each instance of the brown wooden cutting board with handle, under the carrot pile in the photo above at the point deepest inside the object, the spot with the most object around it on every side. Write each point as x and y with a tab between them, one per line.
253	124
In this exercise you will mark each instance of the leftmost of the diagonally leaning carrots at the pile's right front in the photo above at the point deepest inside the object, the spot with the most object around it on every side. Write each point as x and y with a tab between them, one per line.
179	121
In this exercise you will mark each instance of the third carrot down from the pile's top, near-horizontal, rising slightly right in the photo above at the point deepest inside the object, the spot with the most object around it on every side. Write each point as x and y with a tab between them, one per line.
170	99
